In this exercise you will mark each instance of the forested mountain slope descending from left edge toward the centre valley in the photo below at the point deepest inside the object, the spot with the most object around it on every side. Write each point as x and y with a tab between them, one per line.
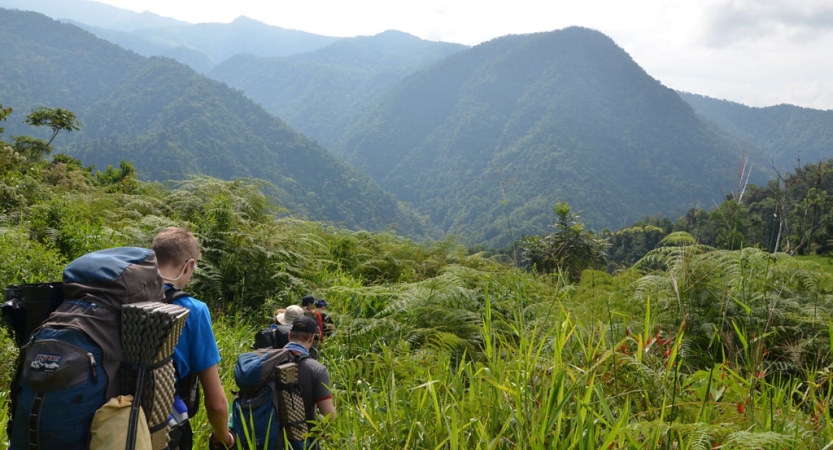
172	122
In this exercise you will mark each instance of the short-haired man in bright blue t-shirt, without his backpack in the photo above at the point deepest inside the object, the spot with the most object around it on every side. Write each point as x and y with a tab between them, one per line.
196	354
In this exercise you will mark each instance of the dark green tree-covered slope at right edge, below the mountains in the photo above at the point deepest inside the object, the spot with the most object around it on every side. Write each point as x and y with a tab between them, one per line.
792	214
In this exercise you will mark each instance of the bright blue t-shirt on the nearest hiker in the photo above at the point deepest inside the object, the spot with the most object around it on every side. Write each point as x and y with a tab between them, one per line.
197	347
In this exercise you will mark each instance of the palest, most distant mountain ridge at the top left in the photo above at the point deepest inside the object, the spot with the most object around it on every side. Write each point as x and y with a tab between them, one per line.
200	46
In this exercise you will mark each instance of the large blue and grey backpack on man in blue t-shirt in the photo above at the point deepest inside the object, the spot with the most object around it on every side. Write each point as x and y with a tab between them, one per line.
70	365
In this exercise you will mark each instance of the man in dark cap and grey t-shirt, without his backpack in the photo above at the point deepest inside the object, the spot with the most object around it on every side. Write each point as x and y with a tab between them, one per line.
313	377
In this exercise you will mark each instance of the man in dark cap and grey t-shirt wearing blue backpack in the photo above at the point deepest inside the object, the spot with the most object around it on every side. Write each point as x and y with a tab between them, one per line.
281	392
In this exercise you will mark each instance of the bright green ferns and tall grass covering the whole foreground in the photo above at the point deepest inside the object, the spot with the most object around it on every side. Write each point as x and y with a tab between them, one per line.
691	348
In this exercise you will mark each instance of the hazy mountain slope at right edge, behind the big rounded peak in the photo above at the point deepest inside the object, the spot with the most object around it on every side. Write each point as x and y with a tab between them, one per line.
790	135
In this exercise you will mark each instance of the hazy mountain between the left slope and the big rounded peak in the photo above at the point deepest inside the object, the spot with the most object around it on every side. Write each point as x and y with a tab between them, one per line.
318	93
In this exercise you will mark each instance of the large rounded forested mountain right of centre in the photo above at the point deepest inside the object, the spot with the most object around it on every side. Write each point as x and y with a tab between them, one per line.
489	139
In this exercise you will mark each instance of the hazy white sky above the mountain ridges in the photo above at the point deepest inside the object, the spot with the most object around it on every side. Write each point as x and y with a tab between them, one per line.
756	52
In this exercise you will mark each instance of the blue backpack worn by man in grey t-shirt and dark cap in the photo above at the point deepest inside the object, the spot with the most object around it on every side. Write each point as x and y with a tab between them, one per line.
255	412
